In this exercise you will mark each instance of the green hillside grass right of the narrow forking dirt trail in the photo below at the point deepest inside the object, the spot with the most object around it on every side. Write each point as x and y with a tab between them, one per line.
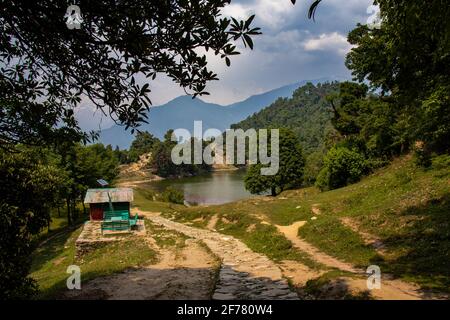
407	207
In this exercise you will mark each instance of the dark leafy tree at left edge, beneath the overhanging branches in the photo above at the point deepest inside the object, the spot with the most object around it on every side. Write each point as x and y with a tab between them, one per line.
29	188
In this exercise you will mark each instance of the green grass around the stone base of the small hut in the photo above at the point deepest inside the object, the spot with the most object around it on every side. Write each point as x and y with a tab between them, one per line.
50	261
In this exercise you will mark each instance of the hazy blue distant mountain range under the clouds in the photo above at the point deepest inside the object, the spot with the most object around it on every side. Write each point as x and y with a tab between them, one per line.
181	112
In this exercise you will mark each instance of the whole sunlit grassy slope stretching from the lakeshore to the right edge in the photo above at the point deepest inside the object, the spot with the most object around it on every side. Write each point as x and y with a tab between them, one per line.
406	207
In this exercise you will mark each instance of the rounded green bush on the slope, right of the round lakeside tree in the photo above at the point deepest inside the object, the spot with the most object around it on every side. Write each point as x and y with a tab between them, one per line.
341	167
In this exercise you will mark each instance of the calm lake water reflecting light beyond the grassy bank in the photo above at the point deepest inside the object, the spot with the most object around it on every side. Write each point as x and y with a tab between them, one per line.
213	188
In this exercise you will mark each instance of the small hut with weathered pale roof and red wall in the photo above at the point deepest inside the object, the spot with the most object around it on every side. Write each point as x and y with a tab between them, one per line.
109	199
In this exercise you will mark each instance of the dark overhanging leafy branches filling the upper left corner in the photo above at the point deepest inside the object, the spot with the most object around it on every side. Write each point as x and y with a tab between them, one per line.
47	68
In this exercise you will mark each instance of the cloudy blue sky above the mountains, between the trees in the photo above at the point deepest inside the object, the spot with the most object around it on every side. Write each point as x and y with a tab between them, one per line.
292	48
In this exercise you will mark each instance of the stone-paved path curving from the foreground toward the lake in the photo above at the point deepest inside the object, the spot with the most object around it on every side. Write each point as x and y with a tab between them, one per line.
244	274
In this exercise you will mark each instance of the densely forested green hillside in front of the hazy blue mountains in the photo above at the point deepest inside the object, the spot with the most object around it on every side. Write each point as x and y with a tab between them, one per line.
307	113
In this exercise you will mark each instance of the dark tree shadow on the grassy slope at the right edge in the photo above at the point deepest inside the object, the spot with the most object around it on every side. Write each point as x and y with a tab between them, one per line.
424	244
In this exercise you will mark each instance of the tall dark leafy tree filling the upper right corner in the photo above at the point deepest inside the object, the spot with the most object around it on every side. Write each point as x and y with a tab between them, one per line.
408	59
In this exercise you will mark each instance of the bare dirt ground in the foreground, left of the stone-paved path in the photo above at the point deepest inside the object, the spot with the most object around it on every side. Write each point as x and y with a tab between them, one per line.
188	274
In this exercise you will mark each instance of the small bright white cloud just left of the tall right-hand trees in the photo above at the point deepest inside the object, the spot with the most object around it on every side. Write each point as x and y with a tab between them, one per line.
328	42
